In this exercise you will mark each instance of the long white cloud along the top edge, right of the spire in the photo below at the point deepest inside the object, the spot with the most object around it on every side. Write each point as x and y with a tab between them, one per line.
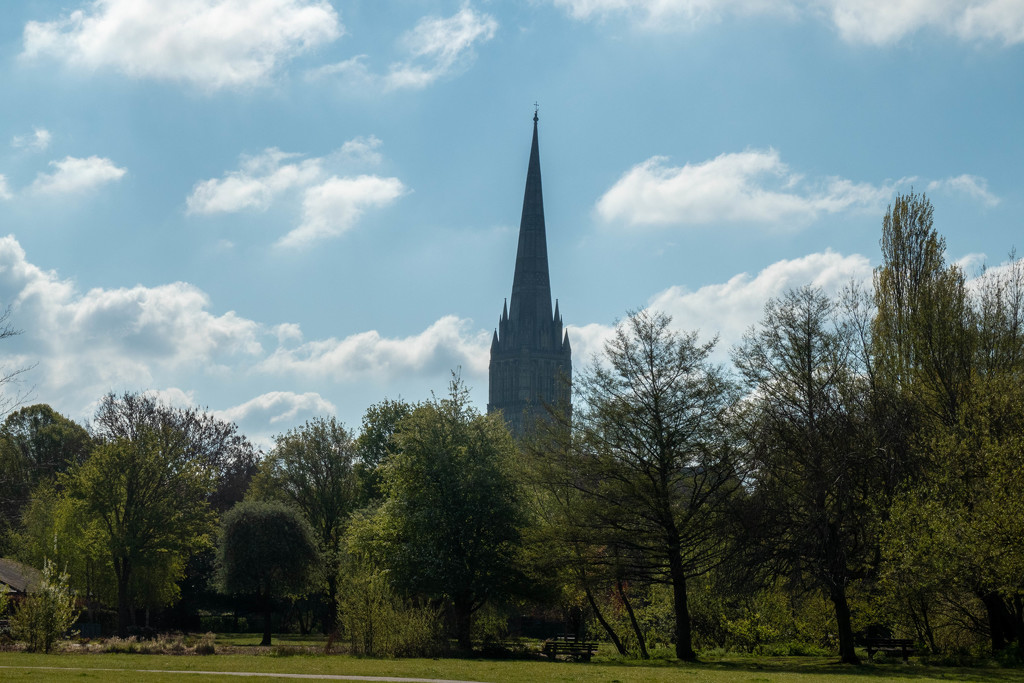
871	22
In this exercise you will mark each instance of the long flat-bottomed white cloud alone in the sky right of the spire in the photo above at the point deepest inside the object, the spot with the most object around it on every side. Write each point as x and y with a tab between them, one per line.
752	187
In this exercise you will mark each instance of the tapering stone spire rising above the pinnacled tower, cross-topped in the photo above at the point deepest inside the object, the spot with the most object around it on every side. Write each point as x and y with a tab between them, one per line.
531	285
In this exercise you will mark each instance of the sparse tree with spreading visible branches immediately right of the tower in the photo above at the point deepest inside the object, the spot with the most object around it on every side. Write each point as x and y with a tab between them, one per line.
651	460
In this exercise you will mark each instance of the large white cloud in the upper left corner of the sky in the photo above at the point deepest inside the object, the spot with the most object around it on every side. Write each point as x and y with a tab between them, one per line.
210	44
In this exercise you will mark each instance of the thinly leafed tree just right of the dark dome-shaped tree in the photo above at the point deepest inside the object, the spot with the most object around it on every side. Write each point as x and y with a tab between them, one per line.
313	468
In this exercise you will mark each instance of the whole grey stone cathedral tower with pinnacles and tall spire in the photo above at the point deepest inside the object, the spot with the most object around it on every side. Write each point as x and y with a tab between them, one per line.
531	359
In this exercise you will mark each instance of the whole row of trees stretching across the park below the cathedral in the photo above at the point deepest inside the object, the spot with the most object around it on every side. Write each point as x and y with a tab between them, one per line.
858	472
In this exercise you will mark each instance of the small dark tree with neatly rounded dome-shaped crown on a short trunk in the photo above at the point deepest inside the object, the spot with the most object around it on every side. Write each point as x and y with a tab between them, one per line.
267	549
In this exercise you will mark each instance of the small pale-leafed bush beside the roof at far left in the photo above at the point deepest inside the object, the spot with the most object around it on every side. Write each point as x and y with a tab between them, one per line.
48	613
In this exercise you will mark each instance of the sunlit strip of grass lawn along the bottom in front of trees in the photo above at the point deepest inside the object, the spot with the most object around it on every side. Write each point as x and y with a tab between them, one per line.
116	668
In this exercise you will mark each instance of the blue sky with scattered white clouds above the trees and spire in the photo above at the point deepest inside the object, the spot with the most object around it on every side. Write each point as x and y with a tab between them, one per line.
279	209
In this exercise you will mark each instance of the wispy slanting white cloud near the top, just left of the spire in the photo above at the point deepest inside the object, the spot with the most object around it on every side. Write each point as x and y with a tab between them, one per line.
437	48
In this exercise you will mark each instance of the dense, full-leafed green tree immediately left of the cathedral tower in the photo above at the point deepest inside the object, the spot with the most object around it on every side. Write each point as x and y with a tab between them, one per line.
451	524
